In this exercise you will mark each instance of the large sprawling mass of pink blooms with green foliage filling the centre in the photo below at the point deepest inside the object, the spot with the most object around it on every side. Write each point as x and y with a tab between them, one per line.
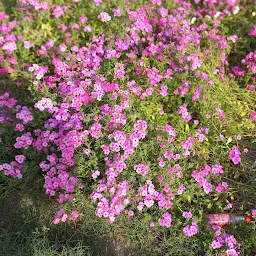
129	109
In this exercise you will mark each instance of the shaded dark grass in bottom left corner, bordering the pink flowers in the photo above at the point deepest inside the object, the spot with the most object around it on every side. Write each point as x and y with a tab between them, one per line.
26	228
